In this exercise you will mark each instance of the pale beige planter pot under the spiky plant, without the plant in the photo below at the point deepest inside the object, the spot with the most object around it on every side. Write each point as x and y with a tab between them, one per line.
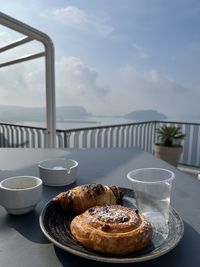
169	154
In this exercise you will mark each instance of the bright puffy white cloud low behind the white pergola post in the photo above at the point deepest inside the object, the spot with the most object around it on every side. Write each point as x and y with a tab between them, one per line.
76	84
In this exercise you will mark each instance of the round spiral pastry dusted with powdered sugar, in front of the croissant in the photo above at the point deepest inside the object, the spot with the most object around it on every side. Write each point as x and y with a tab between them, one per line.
112	229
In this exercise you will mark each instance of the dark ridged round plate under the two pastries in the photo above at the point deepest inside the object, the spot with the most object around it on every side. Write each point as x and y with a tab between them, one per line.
55	226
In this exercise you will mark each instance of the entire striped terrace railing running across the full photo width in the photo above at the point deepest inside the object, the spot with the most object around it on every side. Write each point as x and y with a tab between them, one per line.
140	135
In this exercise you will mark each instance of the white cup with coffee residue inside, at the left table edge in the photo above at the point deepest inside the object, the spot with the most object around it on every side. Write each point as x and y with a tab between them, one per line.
20	194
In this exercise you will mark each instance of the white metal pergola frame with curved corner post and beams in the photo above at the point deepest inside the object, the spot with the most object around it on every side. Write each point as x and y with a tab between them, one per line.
32	34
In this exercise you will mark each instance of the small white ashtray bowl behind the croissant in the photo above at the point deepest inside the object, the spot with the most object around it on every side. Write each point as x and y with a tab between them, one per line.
58	172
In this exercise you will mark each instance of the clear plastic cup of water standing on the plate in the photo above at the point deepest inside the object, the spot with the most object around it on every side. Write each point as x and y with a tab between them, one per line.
152	190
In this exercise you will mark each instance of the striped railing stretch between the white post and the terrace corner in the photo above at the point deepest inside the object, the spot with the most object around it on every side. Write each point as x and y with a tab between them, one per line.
121	135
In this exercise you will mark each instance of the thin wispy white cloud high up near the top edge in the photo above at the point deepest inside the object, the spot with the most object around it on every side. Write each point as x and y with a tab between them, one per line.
76	18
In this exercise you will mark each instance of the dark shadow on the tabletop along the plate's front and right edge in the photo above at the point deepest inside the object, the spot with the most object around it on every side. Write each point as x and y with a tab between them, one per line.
182	255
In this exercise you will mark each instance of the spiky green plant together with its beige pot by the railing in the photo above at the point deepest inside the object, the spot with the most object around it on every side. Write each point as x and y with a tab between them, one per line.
169	146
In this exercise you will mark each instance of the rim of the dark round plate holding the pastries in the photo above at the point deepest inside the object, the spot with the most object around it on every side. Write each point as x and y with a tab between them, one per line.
110	259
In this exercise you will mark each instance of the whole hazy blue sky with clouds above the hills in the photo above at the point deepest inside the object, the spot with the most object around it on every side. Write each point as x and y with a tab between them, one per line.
112	57
